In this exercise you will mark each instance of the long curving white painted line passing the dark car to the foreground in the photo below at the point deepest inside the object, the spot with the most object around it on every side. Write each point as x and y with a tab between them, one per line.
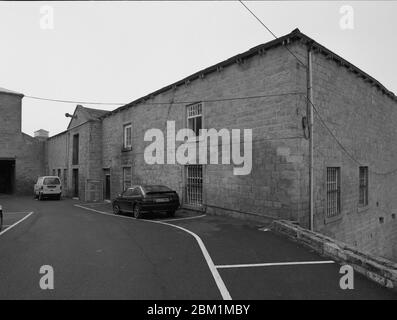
215	274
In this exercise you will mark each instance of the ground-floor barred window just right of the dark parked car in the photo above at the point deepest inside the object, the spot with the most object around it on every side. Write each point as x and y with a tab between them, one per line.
194	185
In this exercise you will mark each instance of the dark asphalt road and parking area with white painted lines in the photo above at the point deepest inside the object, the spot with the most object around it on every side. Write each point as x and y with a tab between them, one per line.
96	255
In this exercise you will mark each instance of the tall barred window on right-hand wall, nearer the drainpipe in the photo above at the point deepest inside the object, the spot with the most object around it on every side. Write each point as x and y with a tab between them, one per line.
333	191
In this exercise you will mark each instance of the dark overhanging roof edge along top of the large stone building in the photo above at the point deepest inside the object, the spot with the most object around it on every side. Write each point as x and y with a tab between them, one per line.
295	35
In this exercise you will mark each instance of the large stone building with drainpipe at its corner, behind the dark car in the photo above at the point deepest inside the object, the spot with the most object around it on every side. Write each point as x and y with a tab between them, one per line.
263	89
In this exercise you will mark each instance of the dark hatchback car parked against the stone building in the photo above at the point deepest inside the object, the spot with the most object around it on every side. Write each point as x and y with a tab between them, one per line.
142	199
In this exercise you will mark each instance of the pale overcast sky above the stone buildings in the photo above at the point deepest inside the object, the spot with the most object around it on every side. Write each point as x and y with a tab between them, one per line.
116	52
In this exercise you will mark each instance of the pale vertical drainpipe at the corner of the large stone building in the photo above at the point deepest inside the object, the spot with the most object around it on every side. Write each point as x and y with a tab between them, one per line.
310	122
